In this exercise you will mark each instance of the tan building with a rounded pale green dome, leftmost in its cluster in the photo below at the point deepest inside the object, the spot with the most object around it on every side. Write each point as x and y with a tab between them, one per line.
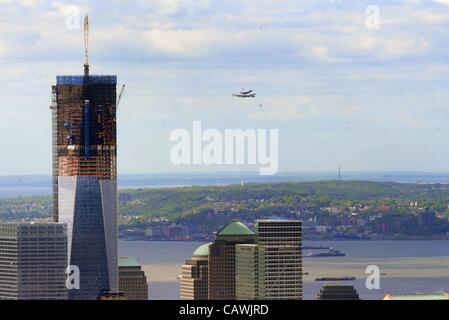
195	275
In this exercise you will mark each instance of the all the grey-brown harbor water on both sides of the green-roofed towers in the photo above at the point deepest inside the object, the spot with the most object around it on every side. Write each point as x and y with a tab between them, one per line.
412	266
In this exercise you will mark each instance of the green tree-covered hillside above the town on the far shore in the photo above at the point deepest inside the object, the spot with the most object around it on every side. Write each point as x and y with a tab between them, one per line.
183	201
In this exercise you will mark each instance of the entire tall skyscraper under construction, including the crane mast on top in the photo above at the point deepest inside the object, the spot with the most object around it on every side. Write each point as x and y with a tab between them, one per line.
85	176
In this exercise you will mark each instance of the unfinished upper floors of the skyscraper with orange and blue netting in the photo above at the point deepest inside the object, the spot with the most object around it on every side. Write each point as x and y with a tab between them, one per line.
84	128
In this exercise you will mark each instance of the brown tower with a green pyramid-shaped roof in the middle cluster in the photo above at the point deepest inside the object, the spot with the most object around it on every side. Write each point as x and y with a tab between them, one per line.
222	260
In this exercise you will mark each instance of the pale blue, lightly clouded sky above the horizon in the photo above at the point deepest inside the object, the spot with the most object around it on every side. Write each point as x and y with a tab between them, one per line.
340	88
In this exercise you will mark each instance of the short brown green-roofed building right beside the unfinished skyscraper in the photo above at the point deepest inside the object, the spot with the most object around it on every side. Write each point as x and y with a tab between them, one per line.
132	279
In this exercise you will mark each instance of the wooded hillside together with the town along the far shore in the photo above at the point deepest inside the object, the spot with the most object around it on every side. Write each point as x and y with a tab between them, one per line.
330	210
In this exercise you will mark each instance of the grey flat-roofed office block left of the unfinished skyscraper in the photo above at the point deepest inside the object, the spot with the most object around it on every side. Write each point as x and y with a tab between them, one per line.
33	261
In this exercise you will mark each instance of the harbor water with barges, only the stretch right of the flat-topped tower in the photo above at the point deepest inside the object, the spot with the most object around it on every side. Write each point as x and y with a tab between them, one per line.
410	266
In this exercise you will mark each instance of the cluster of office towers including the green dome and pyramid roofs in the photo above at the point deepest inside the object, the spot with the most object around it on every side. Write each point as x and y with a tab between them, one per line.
242	264
